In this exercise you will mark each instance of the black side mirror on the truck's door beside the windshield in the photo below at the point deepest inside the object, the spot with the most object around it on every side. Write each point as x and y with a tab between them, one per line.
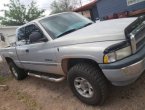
36	37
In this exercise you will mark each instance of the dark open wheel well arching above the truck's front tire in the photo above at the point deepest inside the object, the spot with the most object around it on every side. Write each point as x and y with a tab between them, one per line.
68	63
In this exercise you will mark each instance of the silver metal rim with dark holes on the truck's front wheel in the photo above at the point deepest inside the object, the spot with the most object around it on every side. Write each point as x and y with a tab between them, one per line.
83	87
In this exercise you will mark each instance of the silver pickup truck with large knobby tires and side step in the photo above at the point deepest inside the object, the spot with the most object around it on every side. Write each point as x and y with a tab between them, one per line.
89	55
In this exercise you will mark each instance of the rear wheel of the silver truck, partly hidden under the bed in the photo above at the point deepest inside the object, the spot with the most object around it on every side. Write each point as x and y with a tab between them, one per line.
17	72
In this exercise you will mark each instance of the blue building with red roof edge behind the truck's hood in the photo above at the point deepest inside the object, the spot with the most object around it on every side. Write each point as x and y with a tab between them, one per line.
109	9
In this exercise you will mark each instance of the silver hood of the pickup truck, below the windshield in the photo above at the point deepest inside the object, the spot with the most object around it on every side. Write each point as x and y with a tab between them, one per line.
110	30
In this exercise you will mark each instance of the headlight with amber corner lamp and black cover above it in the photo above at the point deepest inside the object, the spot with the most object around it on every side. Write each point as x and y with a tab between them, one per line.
117	52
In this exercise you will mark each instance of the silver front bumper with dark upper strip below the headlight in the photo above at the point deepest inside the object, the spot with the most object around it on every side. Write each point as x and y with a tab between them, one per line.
125	71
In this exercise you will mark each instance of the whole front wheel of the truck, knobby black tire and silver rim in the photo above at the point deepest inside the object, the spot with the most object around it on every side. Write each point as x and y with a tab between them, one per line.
88	83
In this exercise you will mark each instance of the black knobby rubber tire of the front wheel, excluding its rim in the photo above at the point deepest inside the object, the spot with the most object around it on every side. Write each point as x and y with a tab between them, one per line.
95	77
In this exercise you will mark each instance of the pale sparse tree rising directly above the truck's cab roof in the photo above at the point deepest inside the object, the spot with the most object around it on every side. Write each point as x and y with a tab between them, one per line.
63	5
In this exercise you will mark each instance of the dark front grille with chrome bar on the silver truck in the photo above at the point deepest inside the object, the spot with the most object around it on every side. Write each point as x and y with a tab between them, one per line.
135	33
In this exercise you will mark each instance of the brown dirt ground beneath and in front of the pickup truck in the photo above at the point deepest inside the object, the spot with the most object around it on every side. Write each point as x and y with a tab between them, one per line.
38	94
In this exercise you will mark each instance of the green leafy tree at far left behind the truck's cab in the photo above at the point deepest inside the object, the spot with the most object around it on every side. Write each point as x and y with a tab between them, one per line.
19	14
